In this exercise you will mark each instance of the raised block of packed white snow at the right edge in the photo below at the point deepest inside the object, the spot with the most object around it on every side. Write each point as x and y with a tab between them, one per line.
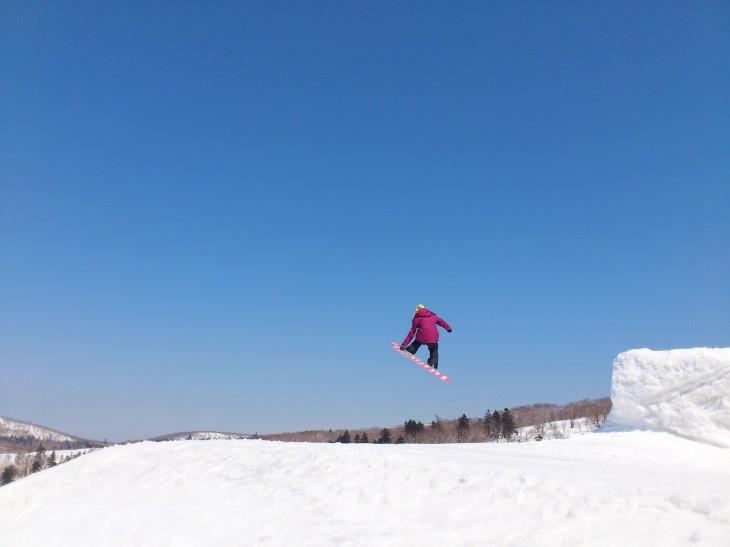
685	392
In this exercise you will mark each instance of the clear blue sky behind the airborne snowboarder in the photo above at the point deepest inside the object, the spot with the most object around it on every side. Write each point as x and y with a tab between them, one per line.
216	215
